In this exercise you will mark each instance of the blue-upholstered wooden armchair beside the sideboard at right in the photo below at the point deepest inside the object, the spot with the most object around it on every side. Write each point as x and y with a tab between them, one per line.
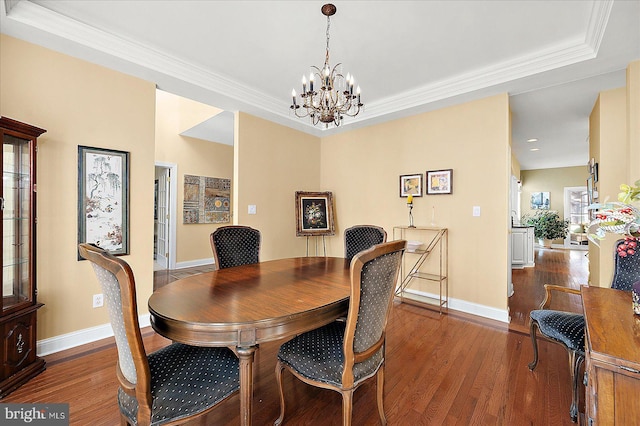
567	328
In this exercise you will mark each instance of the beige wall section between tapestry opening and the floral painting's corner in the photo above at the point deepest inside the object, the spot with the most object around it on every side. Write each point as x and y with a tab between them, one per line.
272	163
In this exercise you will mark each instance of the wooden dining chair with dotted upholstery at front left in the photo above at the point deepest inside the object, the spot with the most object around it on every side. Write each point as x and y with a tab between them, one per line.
169	386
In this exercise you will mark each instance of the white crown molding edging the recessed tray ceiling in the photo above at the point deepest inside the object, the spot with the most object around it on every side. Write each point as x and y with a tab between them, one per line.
556	56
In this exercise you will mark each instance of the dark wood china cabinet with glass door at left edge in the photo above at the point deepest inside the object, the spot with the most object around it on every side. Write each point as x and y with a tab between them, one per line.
18	231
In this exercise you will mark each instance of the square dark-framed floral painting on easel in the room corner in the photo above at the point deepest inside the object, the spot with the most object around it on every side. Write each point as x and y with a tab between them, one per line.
314	213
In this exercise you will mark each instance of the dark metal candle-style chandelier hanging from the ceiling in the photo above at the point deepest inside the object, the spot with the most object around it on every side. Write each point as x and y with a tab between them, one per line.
335	97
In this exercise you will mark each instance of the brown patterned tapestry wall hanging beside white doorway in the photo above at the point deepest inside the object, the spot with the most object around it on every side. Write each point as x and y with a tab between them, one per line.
206	200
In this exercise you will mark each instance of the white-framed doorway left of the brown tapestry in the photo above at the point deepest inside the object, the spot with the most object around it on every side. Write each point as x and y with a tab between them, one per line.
164	217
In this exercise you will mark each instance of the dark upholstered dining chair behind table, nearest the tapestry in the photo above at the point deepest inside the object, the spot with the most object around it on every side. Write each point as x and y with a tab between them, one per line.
235	245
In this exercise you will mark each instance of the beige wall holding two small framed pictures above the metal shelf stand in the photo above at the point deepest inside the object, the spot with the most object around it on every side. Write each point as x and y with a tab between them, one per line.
362	169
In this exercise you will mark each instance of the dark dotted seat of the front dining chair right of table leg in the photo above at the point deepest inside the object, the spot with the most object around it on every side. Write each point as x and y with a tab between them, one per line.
318	355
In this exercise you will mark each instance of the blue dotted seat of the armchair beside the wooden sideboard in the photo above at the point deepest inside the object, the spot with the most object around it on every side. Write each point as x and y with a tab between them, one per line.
565	327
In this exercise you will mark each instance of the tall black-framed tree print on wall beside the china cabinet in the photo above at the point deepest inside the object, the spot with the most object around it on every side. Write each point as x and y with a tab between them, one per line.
103	199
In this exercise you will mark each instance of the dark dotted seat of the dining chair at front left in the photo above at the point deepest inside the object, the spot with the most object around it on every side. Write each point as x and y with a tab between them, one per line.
185	380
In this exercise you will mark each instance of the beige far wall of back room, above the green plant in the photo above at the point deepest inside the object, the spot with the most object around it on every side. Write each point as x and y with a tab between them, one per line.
553	181
